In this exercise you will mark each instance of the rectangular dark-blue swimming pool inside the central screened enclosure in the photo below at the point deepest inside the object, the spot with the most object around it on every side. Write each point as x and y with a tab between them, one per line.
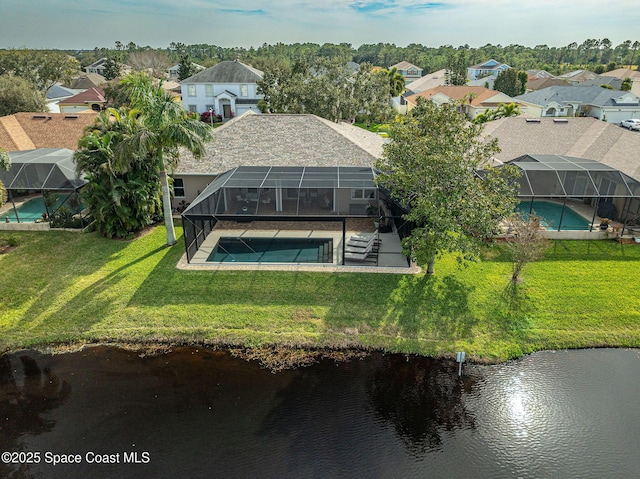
272	250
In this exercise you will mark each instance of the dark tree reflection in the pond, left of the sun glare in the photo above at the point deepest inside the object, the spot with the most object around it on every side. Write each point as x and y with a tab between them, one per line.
421	398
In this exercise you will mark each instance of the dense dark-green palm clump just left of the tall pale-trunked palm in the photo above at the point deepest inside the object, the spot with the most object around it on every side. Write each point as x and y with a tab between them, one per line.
122	201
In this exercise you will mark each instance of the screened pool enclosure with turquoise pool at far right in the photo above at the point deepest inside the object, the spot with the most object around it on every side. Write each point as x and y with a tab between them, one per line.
567	187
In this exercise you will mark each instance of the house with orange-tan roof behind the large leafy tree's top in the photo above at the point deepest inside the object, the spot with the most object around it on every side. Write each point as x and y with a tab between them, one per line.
477	99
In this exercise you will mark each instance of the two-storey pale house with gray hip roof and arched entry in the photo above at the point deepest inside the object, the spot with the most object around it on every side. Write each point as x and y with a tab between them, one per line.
229	88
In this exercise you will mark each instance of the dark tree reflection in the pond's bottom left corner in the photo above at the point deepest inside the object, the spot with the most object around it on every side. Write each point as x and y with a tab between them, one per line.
27	392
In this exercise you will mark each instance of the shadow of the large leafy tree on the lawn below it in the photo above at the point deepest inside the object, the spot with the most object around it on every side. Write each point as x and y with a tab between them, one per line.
425	307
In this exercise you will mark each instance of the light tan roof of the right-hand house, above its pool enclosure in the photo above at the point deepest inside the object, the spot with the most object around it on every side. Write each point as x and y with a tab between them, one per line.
579	137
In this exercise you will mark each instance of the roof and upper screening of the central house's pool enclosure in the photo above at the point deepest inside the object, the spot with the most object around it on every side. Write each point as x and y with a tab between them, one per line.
299	194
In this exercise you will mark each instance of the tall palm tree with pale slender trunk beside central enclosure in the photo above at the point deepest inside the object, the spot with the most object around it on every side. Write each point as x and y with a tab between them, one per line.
162	128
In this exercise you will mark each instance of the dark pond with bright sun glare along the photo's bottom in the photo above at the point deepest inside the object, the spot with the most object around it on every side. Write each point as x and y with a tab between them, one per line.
201	413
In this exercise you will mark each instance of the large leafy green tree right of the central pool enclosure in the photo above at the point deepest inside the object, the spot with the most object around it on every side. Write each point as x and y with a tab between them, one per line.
430	165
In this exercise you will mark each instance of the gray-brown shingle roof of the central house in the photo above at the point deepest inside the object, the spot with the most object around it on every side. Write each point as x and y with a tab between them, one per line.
284	140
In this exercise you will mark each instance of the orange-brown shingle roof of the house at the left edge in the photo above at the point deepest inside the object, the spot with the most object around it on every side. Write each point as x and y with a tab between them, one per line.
29	131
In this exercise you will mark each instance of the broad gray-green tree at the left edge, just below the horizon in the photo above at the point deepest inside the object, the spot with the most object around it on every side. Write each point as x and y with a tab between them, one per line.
43	68
